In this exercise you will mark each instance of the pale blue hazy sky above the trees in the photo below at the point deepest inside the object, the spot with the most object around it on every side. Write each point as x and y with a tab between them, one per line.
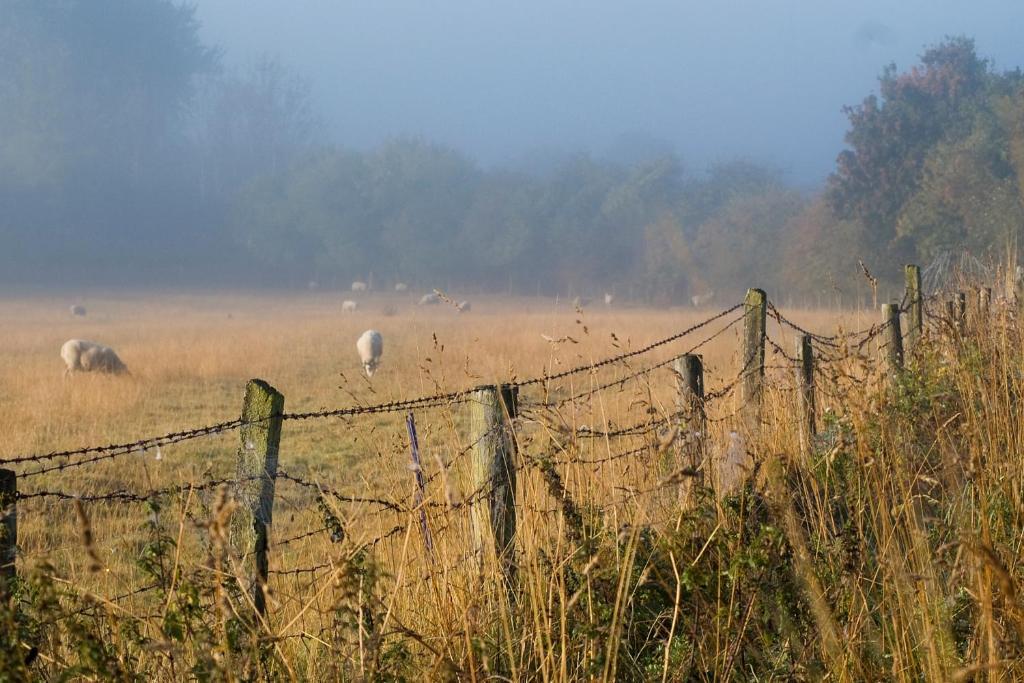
715	80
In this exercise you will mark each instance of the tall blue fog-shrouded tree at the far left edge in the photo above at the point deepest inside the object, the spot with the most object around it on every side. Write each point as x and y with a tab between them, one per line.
93	97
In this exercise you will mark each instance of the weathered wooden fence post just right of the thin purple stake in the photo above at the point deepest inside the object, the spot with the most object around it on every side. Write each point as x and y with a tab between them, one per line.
494	409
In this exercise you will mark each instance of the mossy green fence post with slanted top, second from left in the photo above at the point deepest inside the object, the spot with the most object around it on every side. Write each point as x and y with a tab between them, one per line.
258	472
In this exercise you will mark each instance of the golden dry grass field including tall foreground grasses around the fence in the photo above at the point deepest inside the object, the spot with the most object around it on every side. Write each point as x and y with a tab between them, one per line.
889	549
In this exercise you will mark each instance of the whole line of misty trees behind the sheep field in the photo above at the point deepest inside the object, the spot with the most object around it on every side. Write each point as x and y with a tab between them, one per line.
131	154
